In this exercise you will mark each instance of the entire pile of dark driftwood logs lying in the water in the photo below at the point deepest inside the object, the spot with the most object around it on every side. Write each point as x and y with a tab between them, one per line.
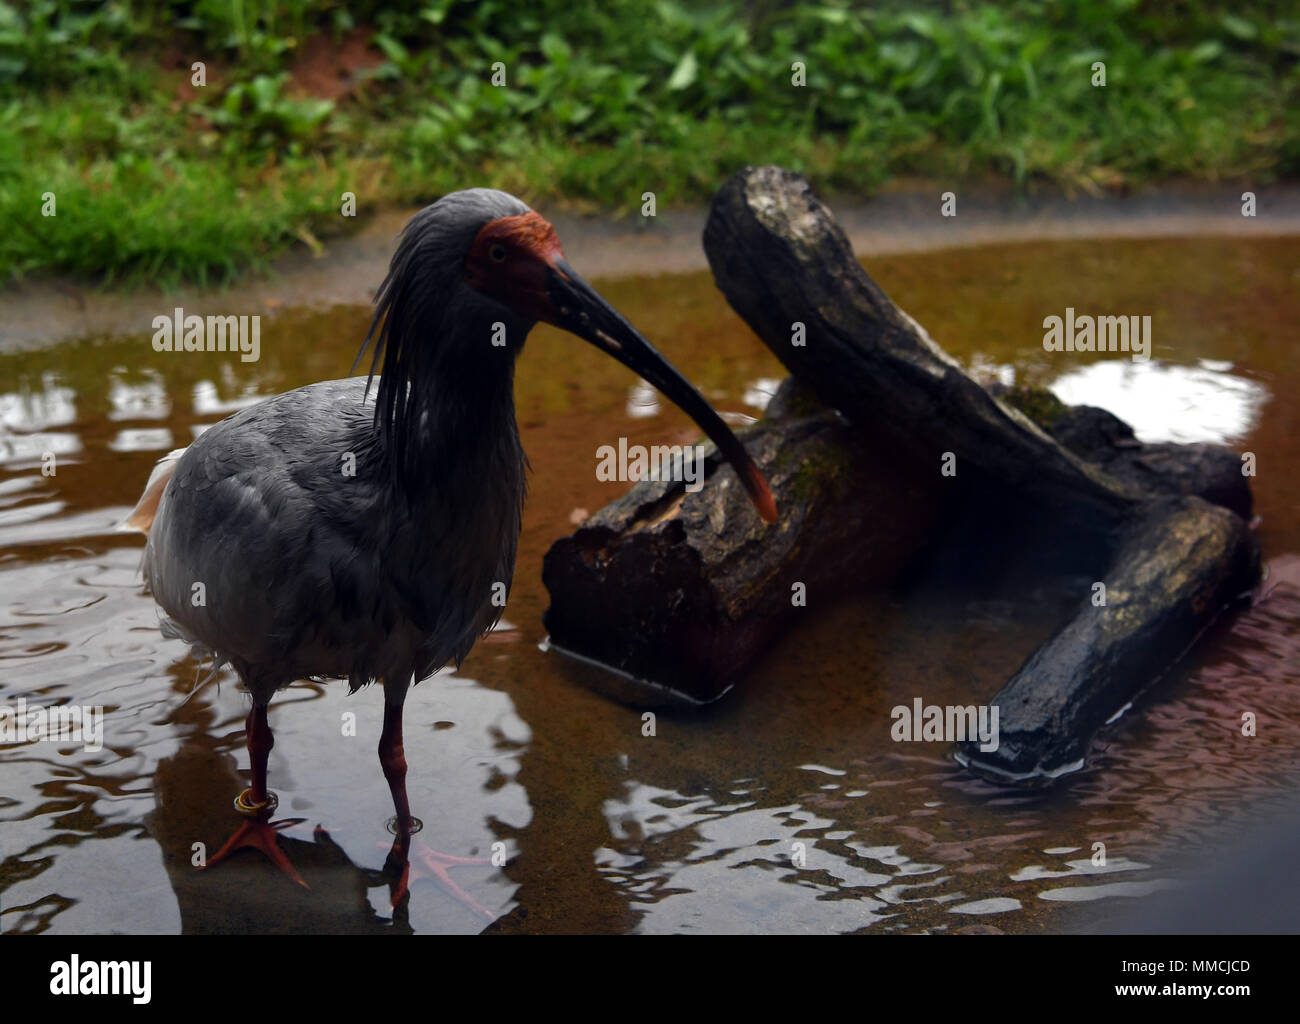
687	589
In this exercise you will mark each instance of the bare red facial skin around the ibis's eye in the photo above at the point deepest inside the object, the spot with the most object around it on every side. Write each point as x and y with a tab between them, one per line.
510	259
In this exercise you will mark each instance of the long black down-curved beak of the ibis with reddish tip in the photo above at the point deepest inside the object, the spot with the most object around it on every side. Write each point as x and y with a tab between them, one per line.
580	310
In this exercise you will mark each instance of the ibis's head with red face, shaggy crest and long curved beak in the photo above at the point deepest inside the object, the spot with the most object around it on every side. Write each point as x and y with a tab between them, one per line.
480	261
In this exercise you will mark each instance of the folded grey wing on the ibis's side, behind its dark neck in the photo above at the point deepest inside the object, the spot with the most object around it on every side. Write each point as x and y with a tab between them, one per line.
258	537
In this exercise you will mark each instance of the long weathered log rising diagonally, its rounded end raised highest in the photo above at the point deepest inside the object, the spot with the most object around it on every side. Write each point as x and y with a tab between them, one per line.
781	259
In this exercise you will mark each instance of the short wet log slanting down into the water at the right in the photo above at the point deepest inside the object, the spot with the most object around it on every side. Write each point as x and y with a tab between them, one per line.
1176	574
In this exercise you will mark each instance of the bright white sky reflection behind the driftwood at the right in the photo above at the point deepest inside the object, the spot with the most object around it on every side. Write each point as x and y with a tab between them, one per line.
1163	402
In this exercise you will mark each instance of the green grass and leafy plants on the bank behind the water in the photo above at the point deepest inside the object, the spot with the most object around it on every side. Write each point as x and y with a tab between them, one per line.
604	102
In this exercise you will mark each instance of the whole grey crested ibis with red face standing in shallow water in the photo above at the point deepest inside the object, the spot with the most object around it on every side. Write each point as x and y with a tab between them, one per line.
324	533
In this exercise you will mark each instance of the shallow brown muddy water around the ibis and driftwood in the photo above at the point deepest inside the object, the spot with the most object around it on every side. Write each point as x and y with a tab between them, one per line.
605	828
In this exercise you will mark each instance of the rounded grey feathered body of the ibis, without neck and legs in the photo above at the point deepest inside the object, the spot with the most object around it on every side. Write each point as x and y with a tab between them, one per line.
310	565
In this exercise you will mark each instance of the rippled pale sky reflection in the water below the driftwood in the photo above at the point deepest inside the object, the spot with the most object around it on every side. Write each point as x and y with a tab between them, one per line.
727	864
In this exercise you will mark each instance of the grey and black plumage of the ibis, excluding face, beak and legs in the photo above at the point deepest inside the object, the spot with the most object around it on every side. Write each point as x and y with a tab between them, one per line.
387	574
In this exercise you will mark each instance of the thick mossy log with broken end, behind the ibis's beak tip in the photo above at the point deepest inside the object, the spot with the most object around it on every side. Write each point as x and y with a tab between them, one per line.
684	589
